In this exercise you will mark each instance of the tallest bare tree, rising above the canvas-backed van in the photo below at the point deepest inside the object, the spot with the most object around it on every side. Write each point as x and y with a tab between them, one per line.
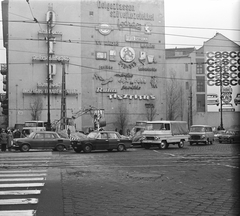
173	98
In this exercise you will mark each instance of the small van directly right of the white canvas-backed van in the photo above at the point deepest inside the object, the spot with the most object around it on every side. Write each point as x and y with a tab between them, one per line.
201	134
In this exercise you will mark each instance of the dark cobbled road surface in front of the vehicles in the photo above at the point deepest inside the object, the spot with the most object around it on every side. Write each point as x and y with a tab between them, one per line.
195	180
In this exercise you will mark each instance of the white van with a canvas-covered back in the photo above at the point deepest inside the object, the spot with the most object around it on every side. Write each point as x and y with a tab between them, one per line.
164	133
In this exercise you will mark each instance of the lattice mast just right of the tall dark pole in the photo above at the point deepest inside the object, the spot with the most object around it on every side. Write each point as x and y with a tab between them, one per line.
63	99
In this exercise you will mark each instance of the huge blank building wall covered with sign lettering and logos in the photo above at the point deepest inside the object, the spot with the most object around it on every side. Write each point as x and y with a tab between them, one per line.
69	55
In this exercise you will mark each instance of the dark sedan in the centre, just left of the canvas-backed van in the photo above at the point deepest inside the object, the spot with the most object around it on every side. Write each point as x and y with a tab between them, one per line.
102	140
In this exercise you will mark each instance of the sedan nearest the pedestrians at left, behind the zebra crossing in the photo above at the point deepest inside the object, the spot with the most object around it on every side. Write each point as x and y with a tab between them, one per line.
41	140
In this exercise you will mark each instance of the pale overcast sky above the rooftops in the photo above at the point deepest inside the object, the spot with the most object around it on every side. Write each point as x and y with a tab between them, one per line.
189	23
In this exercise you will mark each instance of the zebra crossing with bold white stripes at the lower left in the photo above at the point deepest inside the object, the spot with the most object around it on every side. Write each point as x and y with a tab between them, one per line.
21	182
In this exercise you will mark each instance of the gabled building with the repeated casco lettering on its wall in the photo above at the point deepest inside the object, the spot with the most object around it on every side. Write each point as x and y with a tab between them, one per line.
214	71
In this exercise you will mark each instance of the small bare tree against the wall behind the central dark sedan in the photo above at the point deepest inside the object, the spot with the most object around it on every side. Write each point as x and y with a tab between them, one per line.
122	118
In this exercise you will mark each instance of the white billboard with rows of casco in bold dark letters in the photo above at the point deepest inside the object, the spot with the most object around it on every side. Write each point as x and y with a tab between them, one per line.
223	71
